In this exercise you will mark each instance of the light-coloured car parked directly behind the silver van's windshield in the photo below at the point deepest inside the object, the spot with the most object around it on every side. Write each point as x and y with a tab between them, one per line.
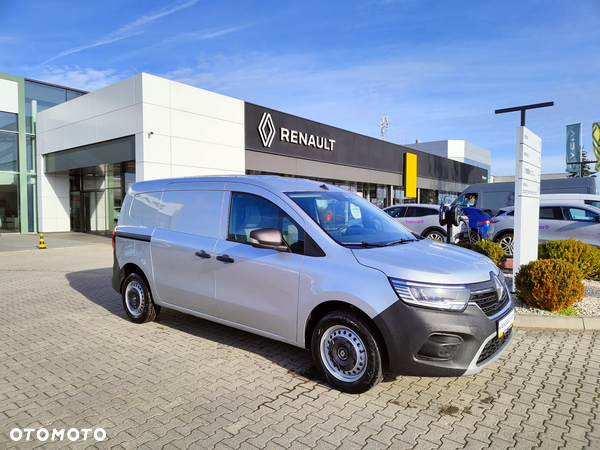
423	219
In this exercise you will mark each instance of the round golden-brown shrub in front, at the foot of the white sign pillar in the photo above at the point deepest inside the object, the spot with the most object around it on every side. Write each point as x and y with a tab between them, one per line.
551	284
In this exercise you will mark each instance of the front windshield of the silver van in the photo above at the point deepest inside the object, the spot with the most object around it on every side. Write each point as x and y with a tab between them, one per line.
351	220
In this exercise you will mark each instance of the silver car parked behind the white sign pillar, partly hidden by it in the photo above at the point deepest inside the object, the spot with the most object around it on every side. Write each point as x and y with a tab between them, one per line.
558	220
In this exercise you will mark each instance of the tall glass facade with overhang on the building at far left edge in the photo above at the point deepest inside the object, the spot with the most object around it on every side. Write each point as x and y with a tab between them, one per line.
18	167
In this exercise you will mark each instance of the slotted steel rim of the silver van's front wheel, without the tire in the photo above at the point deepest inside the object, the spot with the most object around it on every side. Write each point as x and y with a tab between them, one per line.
343	353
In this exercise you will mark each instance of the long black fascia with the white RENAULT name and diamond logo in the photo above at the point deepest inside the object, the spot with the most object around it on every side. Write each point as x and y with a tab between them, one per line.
271	131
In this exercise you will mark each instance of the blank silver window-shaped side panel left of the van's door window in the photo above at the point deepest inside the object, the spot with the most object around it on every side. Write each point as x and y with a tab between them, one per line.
191	212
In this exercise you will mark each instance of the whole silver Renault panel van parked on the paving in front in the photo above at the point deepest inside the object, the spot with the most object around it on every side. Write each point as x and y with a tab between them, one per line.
314	266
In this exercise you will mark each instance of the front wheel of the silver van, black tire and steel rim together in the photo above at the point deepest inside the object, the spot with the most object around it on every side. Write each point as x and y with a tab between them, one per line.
347	352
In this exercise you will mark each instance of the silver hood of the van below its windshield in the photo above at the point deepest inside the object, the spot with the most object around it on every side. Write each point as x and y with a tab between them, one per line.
428	261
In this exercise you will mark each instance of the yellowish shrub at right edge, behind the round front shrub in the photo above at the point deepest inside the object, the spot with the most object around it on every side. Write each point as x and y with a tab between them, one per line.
583	256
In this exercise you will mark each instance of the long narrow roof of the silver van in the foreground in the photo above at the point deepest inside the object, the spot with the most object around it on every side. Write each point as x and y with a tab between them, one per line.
271	182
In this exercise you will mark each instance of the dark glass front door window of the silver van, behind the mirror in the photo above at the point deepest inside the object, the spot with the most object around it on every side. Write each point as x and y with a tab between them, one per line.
249	212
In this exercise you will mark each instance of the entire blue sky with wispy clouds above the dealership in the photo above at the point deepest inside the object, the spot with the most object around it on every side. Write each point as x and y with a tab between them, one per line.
439	69
